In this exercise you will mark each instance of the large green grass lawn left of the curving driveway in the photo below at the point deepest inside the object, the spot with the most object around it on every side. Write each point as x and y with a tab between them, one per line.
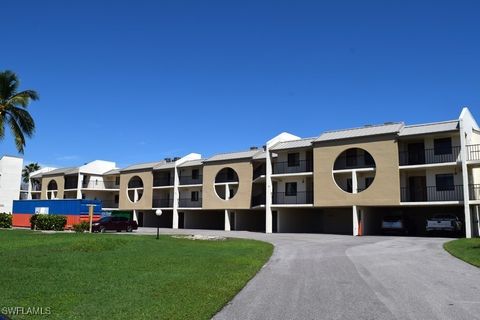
107	276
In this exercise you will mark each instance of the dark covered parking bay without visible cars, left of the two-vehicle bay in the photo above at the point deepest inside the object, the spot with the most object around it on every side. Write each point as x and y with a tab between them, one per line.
313	220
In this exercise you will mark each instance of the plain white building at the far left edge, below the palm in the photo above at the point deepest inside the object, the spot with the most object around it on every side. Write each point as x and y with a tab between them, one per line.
10	180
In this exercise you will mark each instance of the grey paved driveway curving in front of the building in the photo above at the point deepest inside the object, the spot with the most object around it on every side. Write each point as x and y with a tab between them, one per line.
317	276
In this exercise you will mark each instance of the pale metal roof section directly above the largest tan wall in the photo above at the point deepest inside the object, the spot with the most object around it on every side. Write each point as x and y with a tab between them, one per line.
361	132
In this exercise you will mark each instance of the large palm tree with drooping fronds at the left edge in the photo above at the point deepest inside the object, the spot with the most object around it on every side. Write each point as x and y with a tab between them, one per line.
13	109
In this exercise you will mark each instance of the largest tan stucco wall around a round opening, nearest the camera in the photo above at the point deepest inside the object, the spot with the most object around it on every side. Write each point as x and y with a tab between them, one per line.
385	189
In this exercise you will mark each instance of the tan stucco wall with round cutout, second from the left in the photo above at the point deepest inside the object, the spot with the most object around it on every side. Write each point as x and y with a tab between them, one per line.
145	201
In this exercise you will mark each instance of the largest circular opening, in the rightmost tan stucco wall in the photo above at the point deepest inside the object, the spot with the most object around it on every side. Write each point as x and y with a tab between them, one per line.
354	170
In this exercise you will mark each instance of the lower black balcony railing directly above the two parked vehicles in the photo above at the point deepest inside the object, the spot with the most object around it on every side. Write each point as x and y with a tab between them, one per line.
432	193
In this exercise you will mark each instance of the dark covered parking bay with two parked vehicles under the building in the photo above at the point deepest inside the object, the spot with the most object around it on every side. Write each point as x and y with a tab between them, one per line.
415	218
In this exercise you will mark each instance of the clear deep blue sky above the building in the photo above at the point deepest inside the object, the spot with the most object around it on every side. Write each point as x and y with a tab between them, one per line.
137	81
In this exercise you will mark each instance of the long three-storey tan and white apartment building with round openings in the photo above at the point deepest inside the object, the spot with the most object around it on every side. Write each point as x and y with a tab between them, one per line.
342	181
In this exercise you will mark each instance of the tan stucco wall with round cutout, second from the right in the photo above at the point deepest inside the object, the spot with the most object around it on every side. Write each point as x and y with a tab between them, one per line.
242	198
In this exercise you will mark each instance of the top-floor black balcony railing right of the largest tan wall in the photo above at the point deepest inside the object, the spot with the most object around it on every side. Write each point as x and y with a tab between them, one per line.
428	156
